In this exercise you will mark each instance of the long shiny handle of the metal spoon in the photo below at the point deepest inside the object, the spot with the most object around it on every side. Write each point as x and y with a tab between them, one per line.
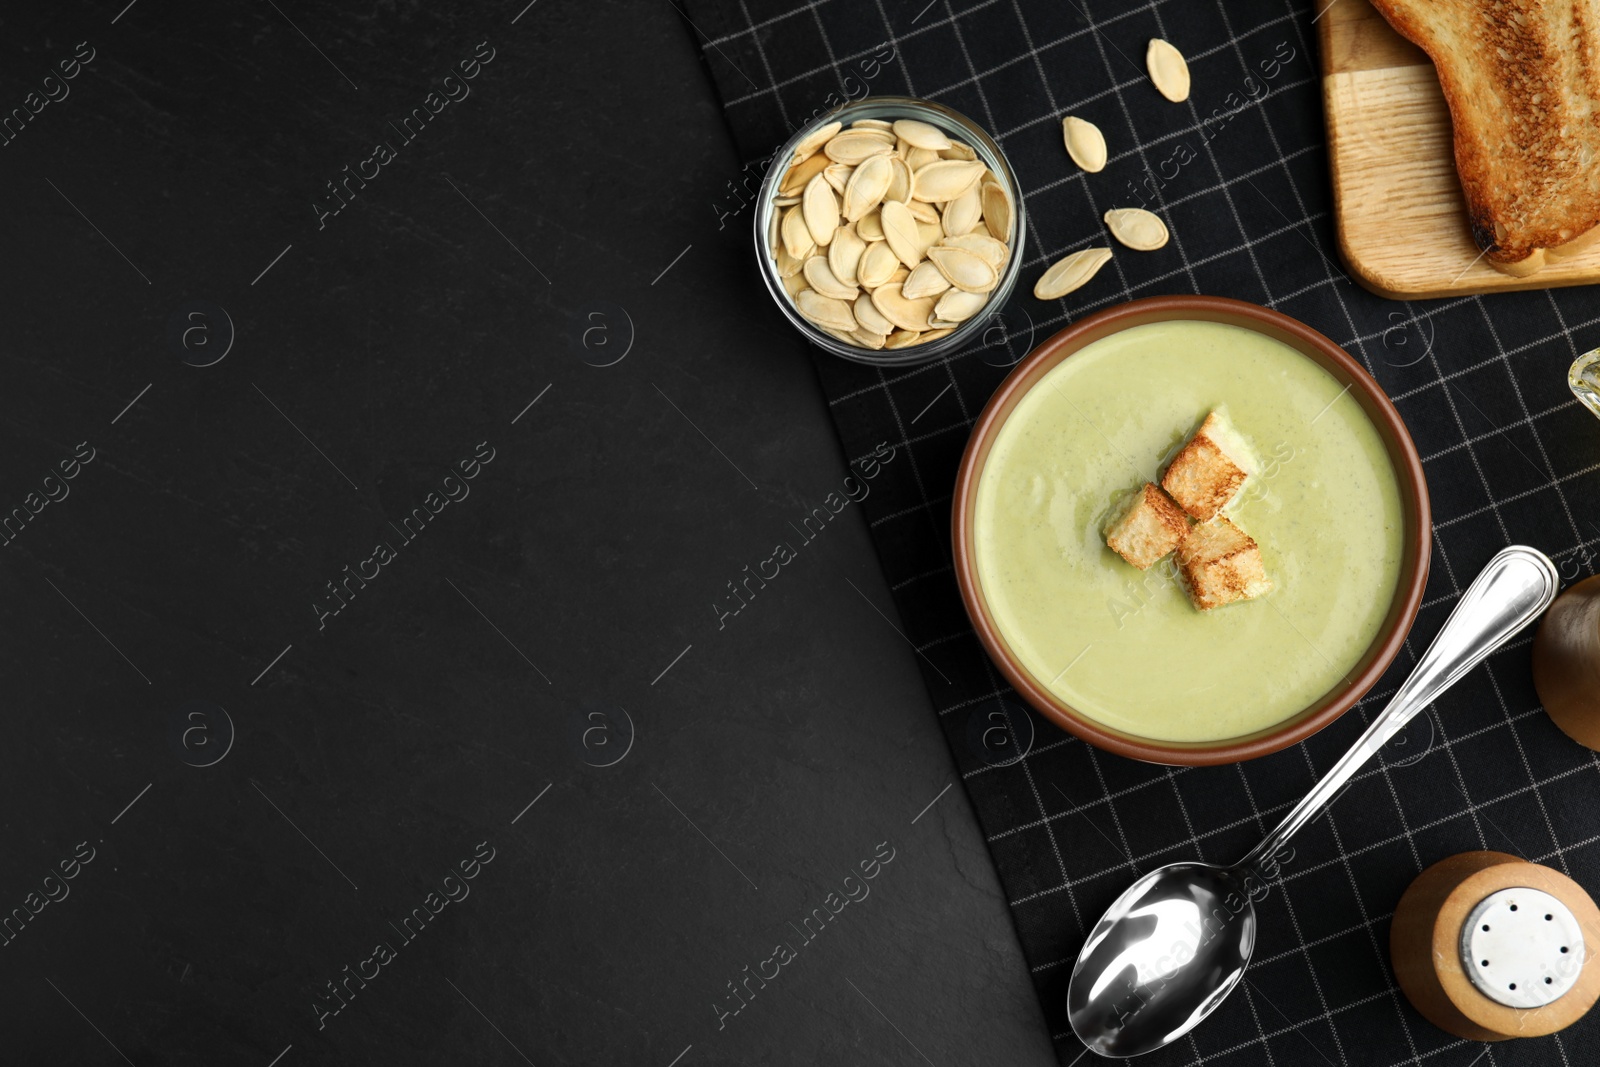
1511	593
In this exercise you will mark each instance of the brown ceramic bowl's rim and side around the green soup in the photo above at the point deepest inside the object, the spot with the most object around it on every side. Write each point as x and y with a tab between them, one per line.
1414	500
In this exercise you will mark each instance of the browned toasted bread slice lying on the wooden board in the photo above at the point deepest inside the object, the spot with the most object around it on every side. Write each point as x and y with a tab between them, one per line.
1522	79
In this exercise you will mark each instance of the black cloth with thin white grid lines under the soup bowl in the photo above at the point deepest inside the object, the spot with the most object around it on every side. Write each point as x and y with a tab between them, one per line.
1241	177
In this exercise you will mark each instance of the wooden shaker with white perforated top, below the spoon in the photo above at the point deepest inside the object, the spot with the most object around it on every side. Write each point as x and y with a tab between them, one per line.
1489	948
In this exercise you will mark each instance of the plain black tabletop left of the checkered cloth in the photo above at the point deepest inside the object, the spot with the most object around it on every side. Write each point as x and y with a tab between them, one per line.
380	751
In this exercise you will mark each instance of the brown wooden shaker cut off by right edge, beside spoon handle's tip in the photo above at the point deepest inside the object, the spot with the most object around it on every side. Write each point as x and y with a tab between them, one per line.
1567	663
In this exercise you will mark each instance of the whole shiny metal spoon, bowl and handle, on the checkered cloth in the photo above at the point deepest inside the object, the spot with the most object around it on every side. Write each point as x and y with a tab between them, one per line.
1177	943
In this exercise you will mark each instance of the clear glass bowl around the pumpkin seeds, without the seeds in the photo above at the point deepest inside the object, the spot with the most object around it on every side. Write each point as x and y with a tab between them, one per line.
954	126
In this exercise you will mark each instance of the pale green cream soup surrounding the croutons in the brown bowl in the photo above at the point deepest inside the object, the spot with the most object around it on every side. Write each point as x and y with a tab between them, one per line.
1126	647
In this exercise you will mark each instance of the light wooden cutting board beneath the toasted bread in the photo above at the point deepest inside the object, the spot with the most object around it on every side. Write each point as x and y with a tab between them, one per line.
1402	222
